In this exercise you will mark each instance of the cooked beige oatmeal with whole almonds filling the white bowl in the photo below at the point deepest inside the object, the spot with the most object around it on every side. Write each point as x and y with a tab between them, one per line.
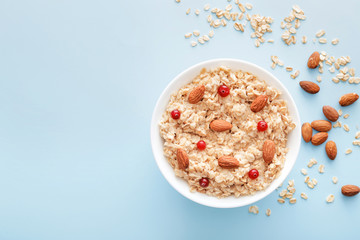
235	147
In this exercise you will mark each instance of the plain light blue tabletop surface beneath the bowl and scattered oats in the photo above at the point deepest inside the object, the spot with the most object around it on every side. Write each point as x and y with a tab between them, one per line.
79	80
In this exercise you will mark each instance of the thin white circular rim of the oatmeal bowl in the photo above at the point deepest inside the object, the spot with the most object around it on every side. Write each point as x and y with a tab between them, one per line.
155	131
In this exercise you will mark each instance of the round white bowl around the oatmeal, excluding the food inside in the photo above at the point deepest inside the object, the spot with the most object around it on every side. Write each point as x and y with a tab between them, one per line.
294	138
